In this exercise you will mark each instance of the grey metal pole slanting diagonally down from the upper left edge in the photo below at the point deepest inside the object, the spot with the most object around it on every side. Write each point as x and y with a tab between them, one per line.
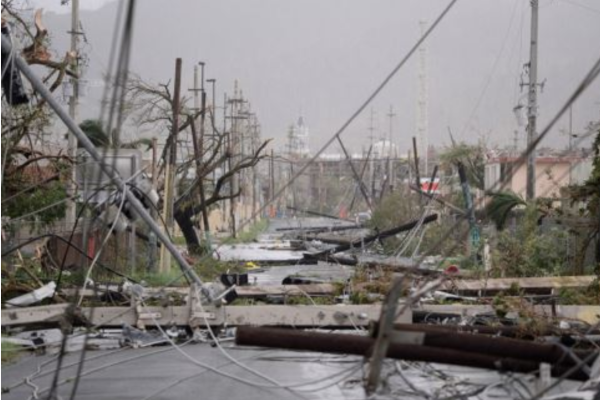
39	87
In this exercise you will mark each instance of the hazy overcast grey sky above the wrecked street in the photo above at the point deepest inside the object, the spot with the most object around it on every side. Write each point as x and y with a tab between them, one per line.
323	58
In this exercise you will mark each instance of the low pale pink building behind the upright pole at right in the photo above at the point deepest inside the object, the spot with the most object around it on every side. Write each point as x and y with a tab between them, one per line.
552	173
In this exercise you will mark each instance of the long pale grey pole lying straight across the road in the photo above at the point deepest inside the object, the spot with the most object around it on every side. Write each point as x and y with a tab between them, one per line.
192	315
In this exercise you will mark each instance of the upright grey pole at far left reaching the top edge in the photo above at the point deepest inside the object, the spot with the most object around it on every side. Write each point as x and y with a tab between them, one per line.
71	213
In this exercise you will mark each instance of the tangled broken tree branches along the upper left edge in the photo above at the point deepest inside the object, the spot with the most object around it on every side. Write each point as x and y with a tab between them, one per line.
23	125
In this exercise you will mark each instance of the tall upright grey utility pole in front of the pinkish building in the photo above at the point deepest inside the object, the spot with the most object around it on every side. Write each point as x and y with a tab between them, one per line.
532	105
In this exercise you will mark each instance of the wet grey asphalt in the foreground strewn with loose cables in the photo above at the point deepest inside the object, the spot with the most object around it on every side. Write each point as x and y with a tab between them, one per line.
163	373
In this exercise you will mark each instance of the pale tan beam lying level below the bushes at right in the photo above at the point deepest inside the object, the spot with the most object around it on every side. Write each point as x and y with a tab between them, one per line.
523	283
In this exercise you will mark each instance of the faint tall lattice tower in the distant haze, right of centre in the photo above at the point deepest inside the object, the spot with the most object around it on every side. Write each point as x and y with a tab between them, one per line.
422	102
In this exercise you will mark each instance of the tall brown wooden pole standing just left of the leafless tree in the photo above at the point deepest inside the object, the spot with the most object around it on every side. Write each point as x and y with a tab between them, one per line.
165	256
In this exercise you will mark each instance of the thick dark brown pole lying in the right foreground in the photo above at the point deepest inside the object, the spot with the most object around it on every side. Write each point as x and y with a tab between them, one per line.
401	348
